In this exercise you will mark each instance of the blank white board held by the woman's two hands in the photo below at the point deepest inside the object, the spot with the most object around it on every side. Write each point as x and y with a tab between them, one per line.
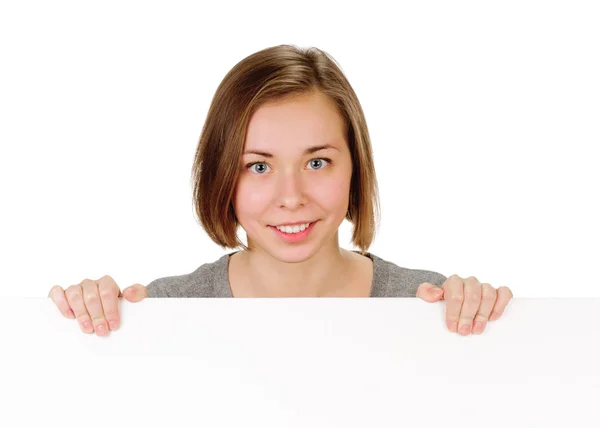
301	363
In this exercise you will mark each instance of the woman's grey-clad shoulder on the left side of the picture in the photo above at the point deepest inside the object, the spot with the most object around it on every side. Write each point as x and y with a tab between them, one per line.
208	280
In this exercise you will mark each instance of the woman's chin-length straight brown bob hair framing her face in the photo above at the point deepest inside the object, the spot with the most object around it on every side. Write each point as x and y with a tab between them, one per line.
275	74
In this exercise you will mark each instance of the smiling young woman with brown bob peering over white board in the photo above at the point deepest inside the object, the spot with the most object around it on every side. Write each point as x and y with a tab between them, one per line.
285	153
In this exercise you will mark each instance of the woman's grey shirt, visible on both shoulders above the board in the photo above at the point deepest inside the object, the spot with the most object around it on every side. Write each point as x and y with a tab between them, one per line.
212	280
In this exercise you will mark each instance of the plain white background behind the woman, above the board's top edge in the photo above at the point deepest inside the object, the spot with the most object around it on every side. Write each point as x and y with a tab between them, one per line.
484	118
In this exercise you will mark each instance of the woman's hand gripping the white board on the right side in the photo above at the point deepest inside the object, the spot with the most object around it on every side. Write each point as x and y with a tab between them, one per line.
469	304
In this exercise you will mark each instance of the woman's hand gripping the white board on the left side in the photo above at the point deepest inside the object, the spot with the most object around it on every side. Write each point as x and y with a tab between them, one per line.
95	304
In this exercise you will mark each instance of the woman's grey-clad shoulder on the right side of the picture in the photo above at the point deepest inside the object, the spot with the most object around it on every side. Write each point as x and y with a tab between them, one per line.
391	280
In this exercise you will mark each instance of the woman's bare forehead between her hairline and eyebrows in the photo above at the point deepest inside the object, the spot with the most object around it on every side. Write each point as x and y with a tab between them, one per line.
304	119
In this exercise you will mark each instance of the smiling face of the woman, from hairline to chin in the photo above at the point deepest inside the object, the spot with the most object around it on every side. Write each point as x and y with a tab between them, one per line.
293	180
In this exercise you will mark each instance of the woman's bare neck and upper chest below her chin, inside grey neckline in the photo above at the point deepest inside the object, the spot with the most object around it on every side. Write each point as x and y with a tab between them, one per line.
320	275
